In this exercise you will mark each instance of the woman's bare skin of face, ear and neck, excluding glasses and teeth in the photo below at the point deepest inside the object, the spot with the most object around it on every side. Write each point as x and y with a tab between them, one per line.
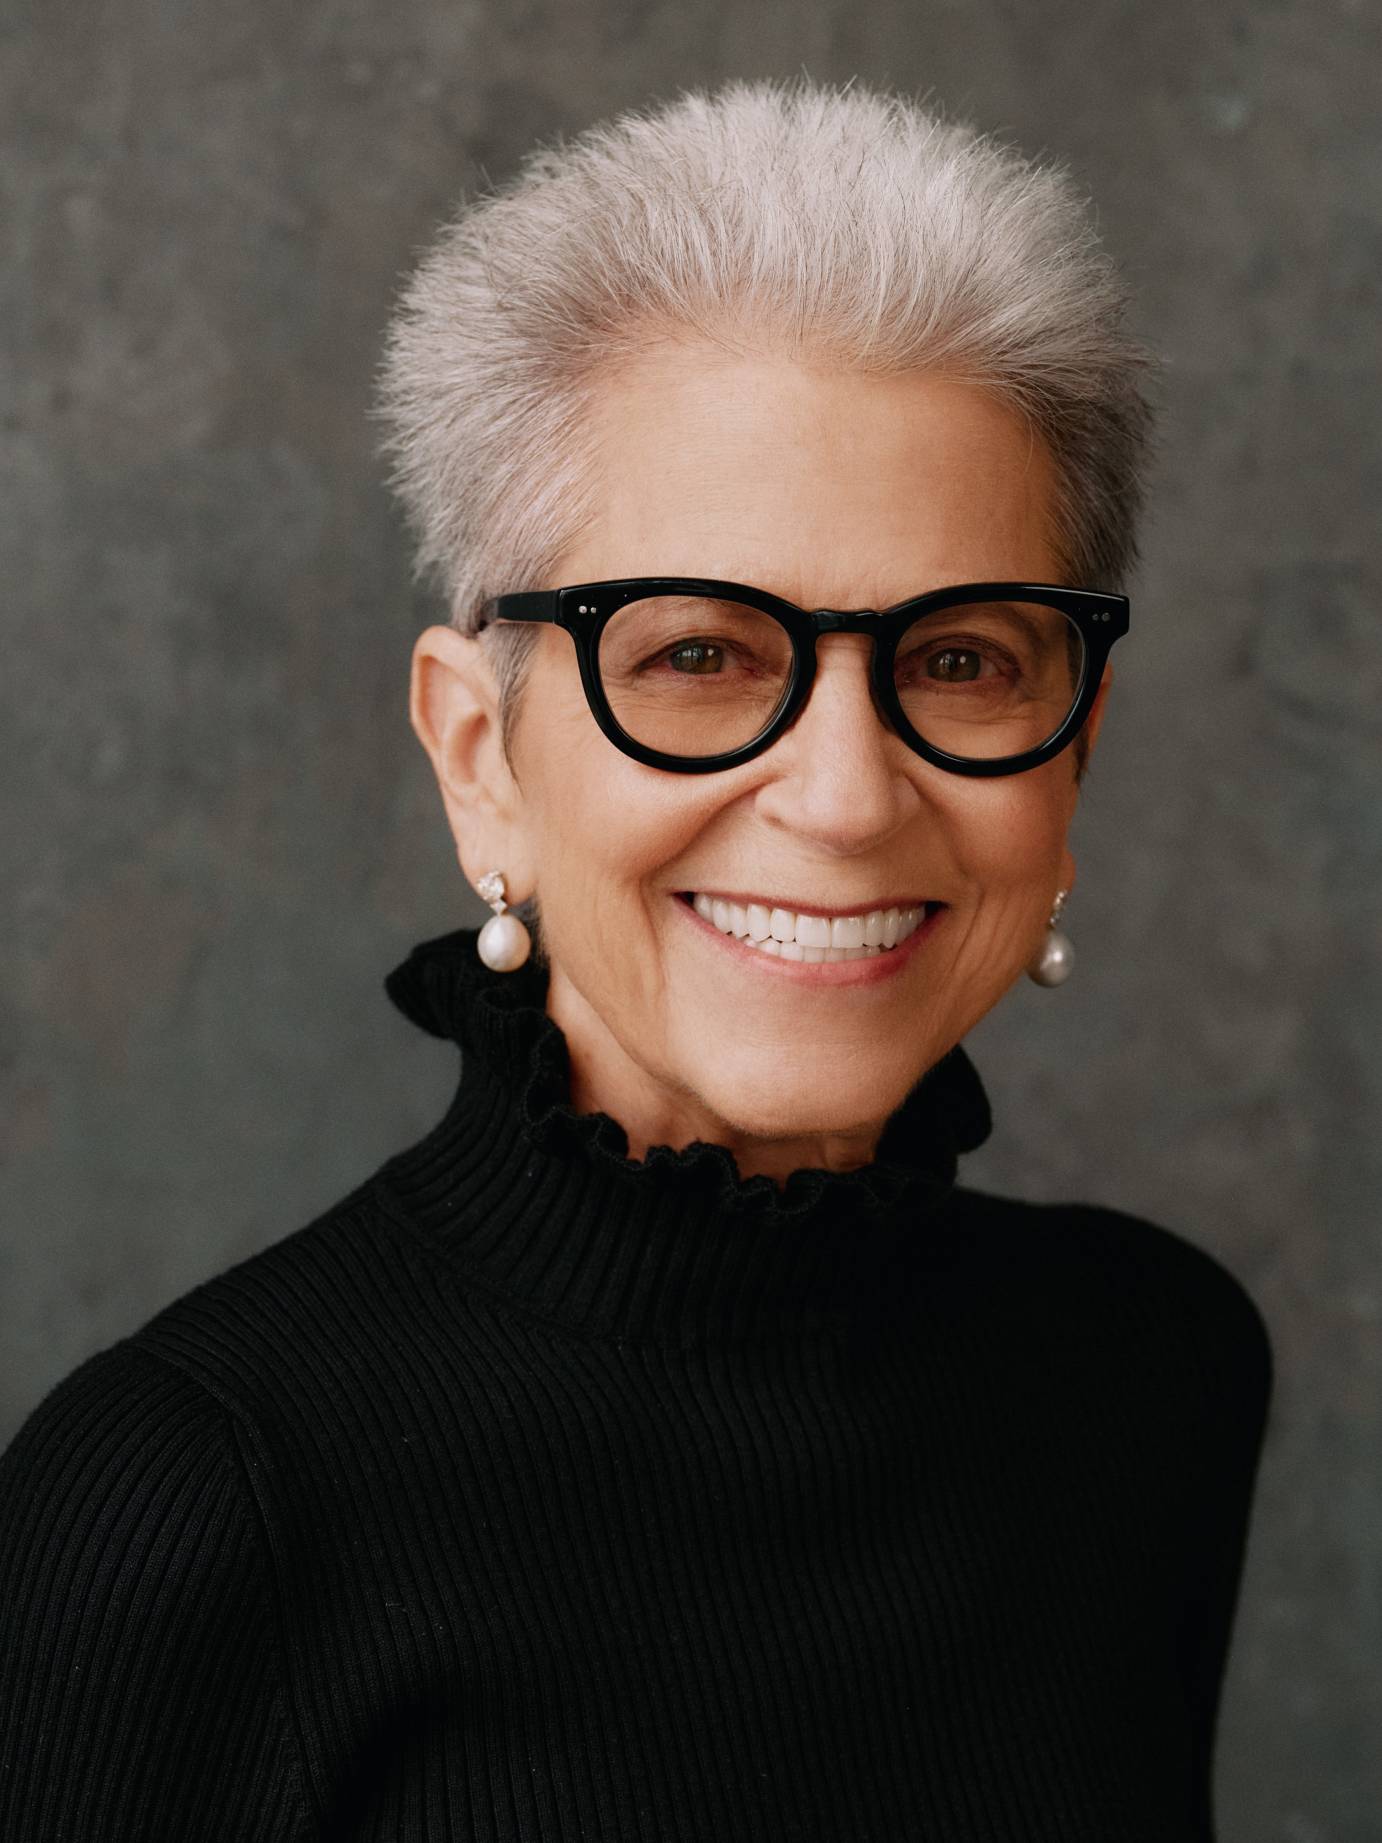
834	491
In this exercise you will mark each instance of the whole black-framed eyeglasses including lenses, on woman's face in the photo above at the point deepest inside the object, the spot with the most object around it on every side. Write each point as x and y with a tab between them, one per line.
696	675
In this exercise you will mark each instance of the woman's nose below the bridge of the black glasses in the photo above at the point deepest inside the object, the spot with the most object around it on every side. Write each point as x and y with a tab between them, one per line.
839	775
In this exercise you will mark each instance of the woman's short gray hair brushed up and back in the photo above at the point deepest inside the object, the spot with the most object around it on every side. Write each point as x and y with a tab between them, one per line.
836	224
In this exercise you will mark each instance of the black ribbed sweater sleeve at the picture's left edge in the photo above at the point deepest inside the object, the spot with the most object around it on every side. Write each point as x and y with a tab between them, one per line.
141	1687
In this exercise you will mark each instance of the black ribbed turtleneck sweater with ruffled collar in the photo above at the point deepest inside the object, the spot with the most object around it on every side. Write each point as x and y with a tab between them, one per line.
537	1494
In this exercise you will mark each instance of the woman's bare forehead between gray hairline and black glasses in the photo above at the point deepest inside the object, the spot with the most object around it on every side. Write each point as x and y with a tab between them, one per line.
817	484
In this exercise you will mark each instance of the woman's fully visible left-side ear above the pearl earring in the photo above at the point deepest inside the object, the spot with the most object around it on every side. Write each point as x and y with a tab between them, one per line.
454	707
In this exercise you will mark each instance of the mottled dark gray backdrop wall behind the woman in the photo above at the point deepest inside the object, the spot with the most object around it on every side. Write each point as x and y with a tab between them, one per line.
218	832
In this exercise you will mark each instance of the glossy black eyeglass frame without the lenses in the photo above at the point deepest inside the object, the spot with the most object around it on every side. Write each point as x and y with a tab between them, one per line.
1101	616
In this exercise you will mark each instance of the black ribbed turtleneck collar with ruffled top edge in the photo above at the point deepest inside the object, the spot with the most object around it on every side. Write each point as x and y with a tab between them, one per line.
543	1204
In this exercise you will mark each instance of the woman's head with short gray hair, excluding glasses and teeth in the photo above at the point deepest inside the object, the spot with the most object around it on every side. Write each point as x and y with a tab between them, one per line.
826	346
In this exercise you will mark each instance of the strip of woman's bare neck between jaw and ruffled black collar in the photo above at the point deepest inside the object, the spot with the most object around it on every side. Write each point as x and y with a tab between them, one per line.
605	1079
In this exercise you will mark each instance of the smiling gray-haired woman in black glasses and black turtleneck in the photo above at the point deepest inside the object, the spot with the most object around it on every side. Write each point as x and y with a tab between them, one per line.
666	1446
